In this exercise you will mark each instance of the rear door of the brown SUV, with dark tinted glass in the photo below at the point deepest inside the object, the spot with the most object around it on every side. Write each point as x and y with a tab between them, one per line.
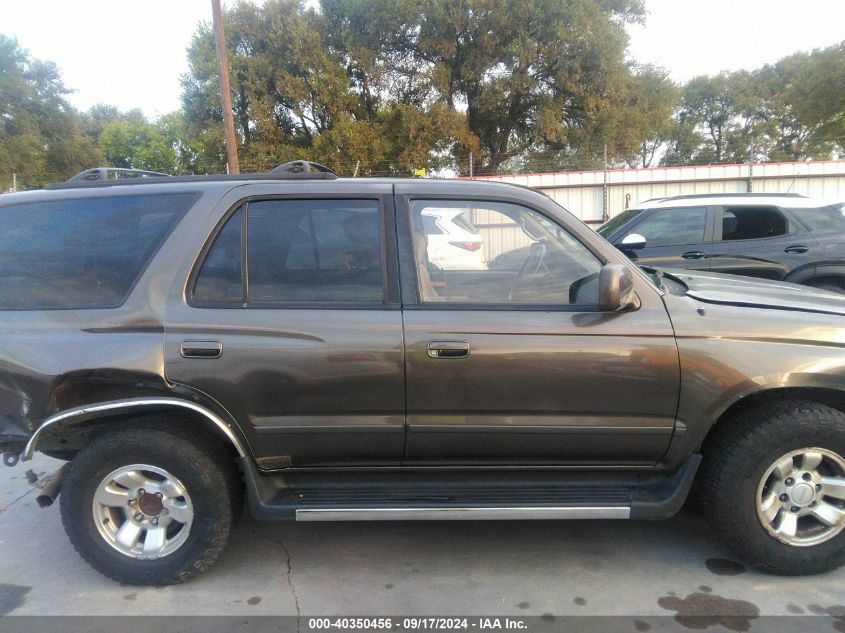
291	321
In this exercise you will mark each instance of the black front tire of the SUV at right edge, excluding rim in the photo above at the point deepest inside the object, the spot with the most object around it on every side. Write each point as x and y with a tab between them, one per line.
737	456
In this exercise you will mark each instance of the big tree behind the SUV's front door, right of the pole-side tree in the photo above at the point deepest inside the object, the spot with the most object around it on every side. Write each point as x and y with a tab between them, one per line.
532	76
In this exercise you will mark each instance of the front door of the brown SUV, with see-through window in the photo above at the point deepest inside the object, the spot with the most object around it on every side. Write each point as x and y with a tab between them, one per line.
512	363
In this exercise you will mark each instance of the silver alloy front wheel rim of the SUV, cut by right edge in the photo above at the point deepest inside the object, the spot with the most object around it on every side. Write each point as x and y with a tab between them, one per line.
801	497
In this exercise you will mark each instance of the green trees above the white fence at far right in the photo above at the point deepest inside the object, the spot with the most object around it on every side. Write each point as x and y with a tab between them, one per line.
791	110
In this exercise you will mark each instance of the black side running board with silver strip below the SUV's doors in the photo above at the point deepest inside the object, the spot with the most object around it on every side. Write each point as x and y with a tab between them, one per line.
471	495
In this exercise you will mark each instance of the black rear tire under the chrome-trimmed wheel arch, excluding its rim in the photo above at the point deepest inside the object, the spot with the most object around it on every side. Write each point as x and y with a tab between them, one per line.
207	472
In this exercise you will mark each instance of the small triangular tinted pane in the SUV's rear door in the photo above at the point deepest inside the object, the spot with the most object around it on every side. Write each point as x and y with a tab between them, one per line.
220	280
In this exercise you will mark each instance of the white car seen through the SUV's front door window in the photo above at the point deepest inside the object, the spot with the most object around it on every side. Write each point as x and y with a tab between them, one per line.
453	242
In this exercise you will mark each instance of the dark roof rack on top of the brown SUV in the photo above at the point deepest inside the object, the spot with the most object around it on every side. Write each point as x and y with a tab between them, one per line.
114	176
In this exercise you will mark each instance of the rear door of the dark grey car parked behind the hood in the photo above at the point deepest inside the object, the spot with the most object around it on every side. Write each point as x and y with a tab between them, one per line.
761	241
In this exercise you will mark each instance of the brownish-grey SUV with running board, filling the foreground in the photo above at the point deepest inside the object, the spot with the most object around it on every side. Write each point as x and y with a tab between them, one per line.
189	344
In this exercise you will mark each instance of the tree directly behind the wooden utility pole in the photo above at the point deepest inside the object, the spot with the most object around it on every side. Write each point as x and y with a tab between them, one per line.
307	87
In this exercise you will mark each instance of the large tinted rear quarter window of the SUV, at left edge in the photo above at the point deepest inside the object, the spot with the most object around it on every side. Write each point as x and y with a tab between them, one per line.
83	253
